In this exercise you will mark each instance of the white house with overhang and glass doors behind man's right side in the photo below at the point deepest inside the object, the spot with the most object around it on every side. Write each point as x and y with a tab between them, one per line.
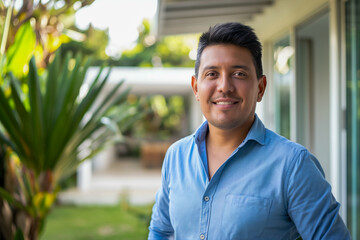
312	62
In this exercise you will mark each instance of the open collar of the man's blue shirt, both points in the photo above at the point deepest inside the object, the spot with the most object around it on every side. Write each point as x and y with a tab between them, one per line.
256	133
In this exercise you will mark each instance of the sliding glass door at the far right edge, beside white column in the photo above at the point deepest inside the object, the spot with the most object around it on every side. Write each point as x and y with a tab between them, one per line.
352	23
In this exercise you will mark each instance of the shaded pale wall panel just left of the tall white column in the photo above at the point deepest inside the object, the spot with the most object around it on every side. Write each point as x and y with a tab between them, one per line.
318	32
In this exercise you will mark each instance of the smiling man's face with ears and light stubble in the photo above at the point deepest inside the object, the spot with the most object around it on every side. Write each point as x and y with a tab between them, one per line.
227	86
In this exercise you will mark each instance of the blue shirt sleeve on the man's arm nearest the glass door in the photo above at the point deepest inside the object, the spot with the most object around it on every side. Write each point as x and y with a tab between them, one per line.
311	205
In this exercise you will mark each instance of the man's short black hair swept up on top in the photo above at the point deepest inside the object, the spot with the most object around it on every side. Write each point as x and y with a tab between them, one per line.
231	33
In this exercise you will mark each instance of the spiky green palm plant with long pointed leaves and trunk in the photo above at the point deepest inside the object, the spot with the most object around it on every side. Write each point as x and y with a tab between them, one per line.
51	128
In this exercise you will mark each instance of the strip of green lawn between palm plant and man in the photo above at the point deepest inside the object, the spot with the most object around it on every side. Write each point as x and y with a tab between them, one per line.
122	222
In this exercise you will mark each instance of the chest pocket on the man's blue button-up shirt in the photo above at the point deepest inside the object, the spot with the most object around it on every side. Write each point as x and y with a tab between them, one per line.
244	217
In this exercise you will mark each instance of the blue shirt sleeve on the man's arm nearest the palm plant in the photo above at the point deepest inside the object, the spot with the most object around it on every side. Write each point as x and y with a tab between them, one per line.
160	225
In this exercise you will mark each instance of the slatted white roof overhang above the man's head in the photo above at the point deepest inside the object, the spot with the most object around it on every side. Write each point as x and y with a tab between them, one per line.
196	16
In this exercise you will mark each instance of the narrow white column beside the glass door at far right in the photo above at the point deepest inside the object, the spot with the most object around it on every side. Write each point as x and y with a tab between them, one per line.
337	157
